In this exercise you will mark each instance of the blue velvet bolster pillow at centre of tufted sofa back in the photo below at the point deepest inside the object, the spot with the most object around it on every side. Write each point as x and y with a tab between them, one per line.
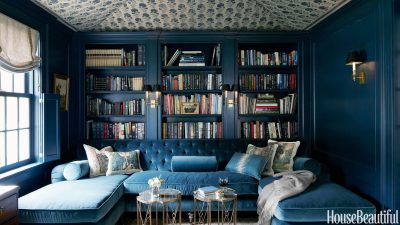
194	163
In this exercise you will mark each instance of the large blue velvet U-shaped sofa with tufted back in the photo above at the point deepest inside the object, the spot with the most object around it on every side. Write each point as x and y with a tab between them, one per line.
102	200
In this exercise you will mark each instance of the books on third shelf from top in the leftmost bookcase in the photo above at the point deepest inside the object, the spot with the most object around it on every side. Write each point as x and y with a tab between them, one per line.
98	106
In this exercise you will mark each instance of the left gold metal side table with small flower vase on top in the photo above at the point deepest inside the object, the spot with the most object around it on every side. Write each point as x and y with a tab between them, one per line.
169	202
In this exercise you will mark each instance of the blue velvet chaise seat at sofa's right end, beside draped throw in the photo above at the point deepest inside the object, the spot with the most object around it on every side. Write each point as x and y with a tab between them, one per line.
312	204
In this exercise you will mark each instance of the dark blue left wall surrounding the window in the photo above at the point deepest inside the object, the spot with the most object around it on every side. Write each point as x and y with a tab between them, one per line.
55	45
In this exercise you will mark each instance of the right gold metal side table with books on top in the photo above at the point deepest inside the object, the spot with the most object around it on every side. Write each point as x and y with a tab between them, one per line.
226	208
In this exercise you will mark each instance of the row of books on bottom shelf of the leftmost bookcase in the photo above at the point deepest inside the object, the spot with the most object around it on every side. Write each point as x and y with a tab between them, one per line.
106	130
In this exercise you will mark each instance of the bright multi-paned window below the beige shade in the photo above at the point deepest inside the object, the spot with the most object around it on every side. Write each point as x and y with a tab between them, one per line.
16	116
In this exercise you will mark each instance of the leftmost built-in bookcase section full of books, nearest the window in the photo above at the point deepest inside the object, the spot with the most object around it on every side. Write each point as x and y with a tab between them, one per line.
114	97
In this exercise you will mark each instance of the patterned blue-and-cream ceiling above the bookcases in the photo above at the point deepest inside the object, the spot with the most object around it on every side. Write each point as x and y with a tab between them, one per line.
216	15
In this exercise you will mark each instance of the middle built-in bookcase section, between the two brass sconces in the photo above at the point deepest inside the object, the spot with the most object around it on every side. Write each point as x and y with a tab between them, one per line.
191	79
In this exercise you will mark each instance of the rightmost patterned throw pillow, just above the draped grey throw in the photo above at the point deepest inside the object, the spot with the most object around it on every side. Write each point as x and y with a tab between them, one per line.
283	160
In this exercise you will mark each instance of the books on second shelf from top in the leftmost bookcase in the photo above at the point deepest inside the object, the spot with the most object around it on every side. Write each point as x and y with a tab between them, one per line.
113	83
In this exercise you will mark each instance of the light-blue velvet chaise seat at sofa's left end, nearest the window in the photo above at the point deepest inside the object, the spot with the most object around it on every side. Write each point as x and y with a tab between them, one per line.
77	201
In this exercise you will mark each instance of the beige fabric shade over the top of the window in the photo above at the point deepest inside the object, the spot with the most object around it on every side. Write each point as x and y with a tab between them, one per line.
18	45
